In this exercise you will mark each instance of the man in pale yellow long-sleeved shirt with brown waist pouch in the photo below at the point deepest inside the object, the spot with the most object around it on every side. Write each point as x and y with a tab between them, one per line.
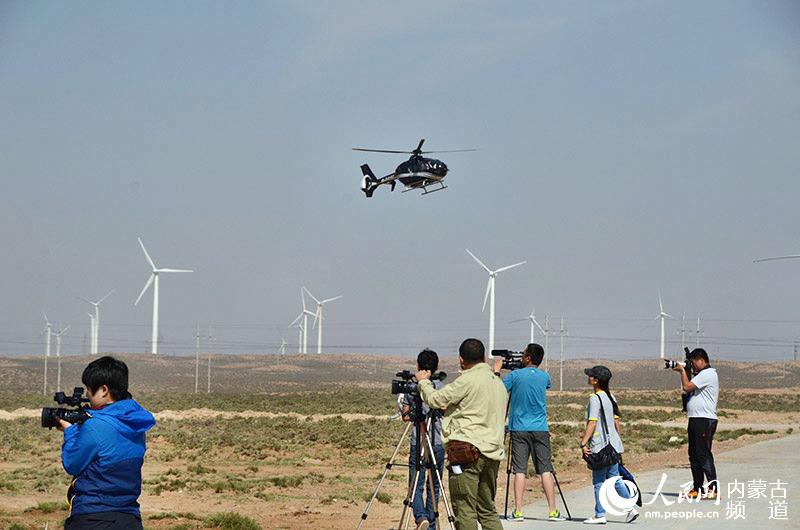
472	430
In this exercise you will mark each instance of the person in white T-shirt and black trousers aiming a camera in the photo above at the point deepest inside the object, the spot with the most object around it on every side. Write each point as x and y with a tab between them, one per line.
701	408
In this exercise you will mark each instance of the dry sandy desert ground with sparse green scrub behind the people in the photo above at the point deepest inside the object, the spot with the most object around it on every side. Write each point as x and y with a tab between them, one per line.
300	441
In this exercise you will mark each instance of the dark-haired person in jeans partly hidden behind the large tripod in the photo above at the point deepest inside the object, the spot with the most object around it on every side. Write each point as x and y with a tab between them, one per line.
424	508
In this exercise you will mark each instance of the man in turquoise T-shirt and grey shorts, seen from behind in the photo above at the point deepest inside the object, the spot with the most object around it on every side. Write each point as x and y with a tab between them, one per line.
527	423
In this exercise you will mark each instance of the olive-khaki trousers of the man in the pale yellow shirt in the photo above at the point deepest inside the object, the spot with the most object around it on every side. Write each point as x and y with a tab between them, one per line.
472	494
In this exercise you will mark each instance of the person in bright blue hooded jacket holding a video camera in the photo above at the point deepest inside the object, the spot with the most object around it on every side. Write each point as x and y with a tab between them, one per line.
105	453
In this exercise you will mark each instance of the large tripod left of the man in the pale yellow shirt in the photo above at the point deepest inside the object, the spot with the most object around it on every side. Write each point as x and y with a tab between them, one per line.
424	459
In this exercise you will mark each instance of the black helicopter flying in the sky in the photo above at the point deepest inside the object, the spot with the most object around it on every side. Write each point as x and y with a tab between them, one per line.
417	172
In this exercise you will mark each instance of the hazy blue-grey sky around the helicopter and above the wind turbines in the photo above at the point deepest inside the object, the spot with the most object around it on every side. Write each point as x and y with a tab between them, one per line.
624	147
